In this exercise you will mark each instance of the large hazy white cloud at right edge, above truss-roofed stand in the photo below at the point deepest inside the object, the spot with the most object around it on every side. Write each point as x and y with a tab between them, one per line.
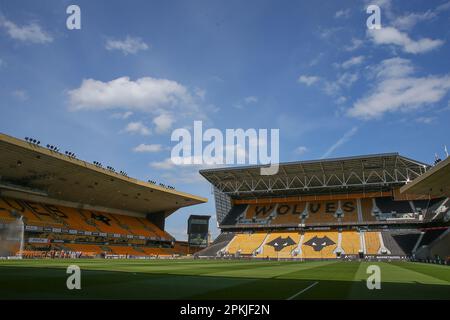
396	89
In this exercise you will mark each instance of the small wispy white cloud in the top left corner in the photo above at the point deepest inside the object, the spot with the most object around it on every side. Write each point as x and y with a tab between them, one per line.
31	33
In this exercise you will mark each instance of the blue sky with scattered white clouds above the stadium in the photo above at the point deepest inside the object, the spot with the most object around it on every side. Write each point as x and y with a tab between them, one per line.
114	90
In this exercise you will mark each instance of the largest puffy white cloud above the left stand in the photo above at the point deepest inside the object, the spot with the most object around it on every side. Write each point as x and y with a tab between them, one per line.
145	94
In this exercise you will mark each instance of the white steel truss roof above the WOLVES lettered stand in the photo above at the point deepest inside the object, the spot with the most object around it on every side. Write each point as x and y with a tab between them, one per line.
339	175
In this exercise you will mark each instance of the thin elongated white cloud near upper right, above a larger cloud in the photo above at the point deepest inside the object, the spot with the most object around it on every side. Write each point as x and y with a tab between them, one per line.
392	36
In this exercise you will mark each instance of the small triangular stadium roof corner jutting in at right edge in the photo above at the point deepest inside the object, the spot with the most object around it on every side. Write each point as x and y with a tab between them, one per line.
435	182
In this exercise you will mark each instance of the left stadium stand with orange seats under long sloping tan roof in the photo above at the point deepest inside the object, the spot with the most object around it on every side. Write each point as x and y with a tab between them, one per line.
71	207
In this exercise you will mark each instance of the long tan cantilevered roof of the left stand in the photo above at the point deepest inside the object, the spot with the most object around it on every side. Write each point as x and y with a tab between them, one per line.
27	167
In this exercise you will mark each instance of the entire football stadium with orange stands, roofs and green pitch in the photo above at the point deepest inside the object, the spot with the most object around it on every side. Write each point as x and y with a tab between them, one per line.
310	232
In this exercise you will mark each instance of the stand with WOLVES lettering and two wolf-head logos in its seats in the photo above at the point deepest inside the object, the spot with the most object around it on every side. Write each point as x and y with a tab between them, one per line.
342	208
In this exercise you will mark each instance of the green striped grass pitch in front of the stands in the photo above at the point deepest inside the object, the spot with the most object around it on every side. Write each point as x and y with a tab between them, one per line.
221	279
